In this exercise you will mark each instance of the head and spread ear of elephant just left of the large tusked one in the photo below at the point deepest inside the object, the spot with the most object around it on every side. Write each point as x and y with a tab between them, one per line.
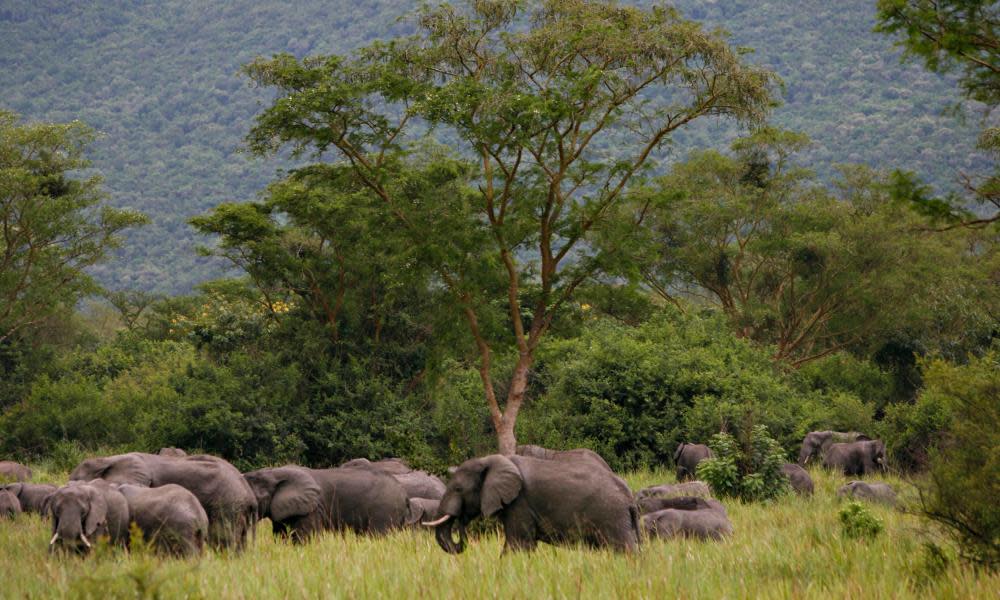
284	492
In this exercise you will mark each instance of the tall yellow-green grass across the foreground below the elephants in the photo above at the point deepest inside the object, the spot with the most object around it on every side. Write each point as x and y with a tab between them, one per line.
790	548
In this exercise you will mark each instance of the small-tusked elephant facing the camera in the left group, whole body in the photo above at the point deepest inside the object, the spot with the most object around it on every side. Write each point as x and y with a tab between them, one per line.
83	512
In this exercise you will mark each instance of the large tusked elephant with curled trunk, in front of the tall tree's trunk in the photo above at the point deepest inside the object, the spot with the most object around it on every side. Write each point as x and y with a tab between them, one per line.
539	500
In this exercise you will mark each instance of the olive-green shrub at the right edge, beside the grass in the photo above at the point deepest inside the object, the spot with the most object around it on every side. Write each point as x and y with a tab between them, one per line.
963	480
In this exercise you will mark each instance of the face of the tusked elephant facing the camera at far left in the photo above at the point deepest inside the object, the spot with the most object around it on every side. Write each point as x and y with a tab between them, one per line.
79	516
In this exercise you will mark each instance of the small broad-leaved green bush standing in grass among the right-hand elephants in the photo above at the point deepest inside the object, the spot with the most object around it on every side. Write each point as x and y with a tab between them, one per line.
749	469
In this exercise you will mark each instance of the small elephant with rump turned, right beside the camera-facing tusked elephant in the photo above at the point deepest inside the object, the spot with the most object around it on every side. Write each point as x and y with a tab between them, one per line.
170	517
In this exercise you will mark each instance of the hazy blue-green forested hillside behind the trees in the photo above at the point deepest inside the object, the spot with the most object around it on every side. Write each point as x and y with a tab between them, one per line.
160	81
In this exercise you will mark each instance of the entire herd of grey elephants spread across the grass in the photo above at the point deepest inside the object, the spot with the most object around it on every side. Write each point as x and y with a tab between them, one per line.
181	503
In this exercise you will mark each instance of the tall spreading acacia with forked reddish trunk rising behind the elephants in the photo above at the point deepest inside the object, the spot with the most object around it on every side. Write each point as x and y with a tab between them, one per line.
558	105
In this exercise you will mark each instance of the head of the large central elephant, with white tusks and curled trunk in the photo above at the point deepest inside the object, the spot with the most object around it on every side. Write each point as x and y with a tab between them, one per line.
479	486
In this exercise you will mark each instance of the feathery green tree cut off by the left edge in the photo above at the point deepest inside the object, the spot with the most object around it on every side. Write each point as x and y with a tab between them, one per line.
52	225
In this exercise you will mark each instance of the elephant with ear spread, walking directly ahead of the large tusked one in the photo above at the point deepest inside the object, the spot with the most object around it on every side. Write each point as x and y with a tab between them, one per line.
302	502
